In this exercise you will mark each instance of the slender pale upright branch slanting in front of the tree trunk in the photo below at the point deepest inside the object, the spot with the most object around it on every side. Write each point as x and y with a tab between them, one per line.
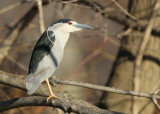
140	53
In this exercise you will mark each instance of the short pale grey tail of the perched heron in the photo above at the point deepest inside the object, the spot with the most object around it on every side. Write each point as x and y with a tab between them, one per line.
32	83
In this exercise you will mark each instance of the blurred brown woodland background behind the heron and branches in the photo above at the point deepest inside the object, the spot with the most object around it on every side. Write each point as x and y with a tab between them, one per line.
103	56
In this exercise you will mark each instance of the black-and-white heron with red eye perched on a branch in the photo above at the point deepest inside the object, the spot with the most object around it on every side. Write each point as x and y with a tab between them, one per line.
48	53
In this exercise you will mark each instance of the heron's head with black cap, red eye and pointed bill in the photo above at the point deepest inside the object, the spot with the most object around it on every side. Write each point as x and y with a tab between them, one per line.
68	25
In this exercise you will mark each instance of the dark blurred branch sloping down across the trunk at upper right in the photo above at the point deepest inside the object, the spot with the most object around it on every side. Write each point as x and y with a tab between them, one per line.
130	22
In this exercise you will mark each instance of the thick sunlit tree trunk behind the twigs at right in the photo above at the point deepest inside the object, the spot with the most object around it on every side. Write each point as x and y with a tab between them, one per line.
124	68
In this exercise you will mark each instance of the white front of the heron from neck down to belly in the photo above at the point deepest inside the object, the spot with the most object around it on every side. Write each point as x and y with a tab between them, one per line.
50	62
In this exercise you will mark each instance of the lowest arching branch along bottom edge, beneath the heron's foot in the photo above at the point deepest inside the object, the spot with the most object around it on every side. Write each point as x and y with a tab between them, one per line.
67	104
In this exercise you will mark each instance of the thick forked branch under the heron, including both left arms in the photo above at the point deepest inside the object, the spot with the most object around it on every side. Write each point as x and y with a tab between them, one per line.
66	102
